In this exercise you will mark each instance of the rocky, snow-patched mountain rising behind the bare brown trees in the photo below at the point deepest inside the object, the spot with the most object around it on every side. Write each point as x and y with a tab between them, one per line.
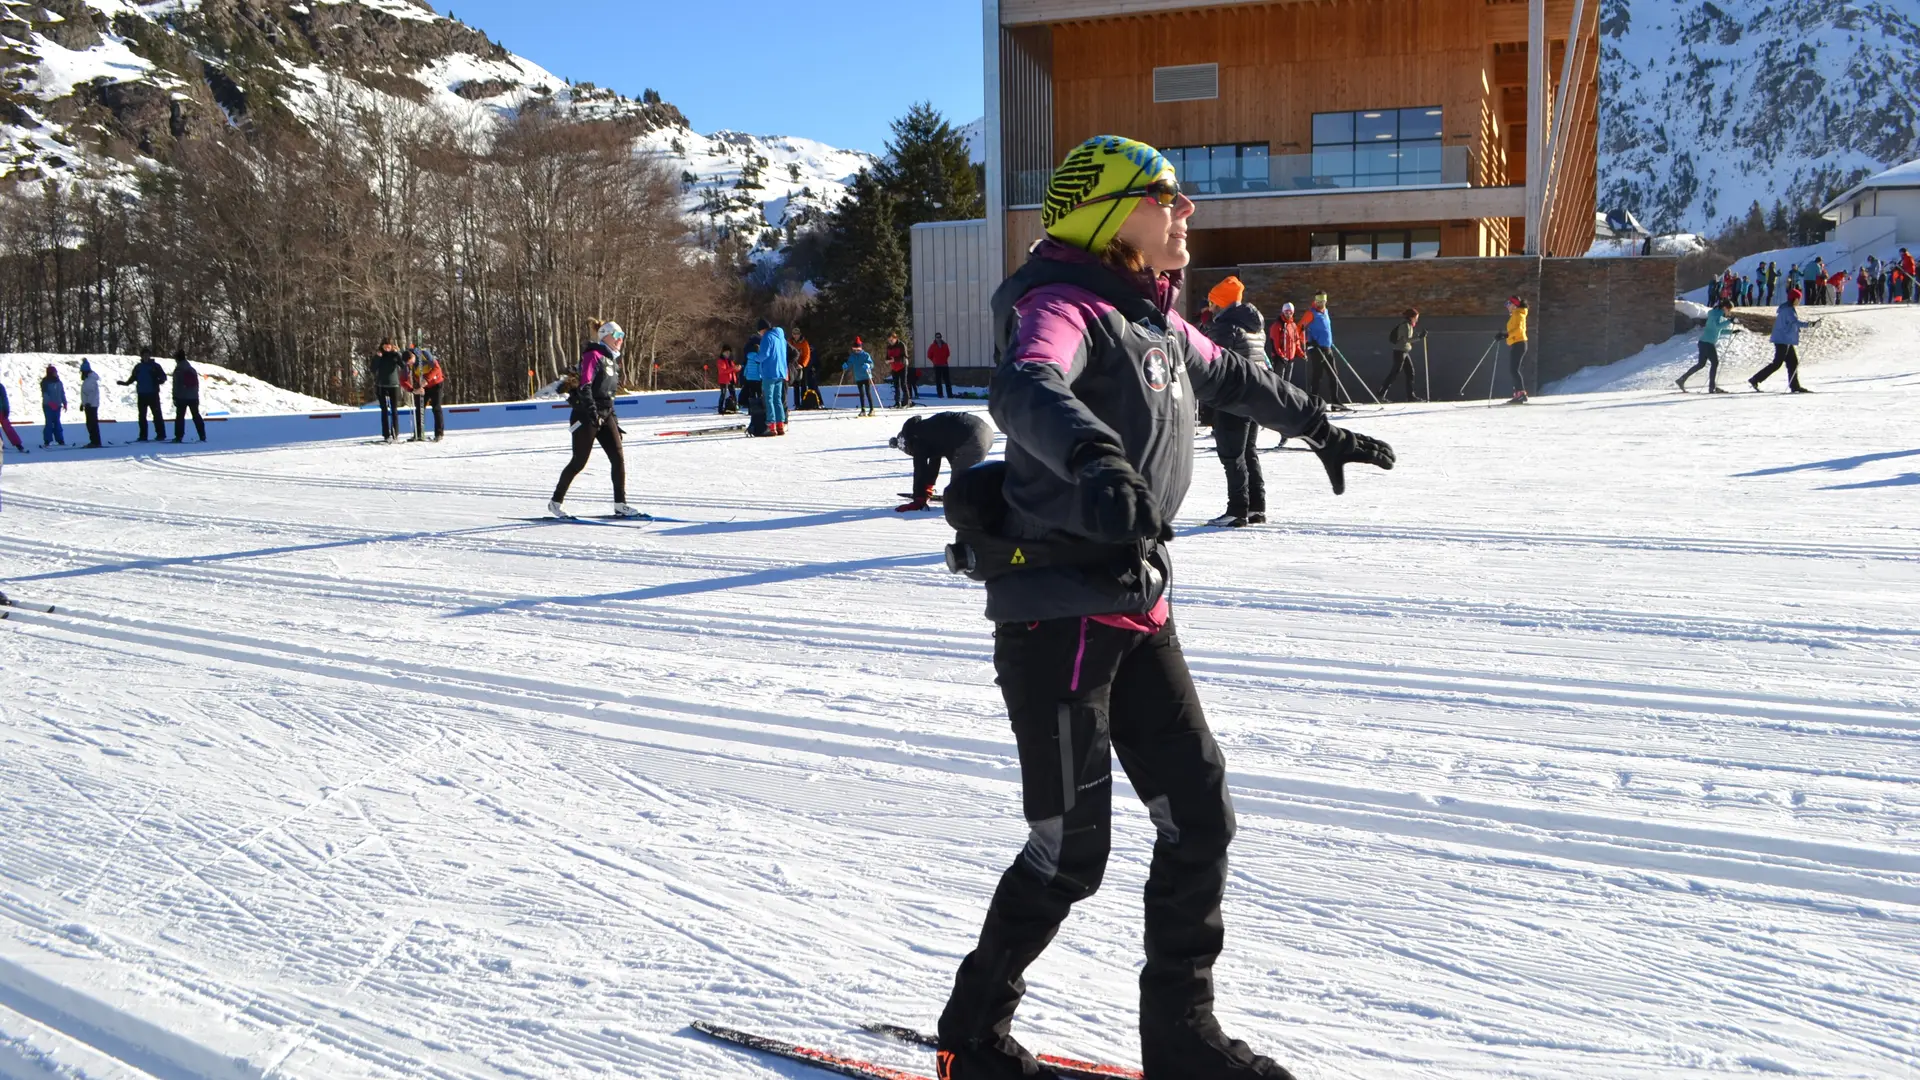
103	89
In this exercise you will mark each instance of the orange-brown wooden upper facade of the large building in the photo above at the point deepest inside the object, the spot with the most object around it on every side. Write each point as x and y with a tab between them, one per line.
1312	130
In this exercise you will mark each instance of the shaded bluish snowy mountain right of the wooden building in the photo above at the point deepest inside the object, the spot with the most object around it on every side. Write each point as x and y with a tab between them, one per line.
1714	105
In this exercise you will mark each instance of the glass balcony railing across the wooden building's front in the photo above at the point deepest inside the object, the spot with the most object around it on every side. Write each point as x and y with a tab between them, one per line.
1291	176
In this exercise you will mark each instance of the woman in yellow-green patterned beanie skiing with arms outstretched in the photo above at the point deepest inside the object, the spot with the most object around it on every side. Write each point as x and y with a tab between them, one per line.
1095	389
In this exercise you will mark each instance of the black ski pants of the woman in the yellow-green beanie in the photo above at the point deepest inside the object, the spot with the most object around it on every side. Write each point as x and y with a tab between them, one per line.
1078	693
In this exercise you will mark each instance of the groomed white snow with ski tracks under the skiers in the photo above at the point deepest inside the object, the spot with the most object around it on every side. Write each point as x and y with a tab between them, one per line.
1585	745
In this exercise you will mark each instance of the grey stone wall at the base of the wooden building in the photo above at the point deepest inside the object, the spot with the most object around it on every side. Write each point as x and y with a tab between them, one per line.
1585	312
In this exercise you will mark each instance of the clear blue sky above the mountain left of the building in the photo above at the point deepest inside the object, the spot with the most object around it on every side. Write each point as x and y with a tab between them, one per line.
836	70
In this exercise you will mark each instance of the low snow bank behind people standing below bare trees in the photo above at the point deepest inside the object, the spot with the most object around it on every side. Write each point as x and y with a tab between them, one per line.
222	391
